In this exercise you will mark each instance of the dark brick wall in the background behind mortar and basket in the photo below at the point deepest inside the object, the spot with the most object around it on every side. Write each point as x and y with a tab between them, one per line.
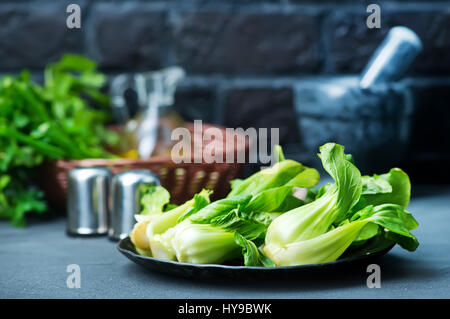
243	58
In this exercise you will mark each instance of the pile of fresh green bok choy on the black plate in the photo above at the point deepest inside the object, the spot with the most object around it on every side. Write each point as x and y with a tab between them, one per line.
263	221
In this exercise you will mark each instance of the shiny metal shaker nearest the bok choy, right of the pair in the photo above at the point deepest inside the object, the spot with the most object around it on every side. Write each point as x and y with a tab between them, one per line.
125	200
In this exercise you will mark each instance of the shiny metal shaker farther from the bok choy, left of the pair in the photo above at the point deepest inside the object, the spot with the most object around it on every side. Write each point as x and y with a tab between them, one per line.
87	202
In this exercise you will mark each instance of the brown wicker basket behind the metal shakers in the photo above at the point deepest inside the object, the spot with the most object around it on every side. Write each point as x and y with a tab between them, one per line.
181	180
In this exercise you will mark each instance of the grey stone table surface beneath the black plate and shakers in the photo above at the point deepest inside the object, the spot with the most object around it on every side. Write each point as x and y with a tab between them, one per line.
33	264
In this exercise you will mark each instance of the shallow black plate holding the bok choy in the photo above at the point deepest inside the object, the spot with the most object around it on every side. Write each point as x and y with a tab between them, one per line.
207	271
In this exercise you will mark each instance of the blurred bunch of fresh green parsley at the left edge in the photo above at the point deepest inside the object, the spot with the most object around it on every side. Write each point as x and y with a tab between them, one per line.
50	121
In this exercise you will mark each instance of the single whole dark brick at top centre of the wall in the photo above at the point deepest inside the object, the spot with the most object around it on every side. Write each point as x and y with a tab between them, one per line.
218	41
